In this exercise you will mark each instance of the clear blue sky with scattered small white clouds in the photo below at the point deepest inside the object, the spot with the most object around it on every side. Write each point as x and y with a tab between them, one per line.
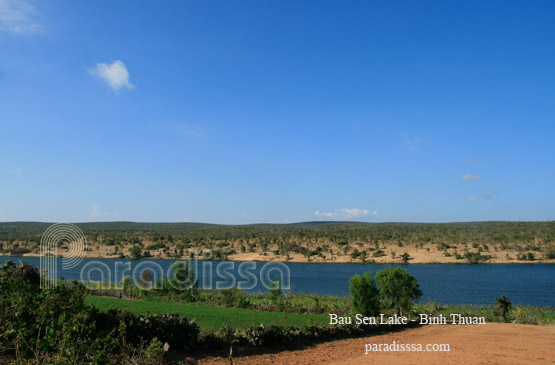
239	112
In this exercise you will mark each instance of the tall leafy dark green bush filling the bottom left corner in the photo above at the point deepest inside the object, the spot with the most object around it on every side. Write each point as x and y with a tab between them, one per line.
39	322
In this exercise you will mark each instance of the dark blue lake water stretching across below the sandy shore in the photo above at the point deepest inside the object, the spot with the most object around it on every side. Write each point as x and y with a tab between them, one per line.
530	284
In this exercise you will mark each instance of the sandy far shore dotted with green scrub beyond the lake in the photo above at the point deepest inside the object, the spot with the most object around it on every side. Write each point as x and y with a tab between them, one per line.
344	242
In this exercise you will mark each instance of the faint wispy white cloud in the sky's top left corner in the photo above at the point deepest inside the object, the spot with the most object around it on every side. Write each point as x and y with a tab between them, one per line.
18	17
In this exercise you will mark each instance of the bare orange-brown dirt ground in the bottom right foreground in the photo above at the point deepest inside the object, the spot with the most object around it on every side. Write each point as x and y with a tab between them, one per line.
492	343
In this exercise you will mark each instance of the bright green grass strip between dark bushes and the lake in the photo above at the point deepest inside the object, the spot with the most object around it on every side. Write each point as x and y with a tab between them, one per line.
209	318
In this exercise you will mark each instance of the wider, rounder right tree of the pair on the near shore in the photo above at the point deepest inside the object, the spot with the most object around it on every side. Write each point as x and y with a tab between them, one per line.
398	289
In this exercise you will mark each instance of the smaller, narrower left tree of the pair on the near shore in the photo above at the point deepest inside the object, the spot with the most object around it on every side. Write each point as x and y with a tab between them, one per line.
364	294
